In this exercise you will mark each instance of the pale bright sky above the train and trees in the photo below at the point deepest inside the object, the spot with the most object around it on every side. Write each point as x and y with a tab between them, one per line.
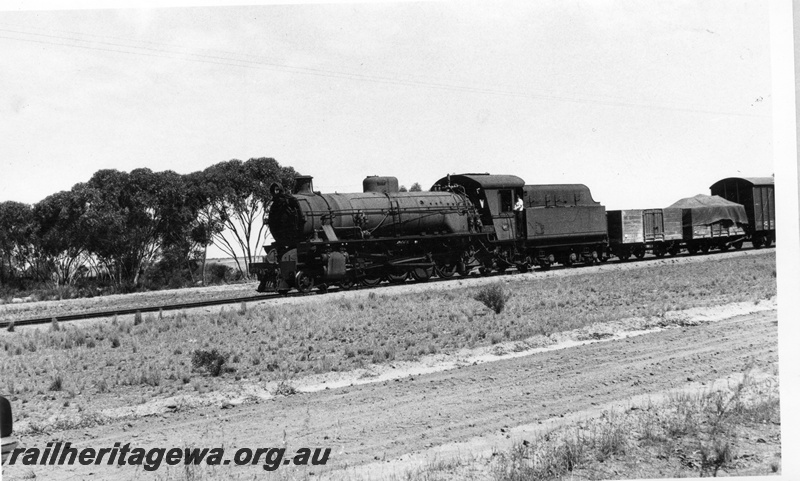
645	102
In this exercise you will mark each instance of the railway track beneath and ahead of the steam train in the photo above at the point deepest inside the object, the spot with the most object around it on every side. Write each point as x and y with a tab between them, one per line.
260	297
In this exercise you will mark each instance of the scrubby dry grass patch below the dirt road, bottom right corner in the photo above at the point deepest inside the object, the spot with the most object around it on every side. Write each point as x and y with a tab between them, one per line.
688	434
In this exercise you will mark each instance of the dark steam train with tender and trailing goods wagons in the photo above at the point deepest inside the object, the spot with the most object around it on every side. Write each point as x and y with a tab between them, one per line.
490	223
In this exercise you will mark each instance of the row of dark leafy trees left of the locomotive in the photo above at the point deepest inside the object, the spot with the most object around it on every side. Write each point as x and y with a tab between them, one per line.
126	224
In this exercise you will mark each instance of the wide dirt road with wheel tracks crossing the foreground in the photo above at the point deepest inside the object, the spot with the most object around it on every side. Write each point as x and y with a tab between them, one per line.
381	423
